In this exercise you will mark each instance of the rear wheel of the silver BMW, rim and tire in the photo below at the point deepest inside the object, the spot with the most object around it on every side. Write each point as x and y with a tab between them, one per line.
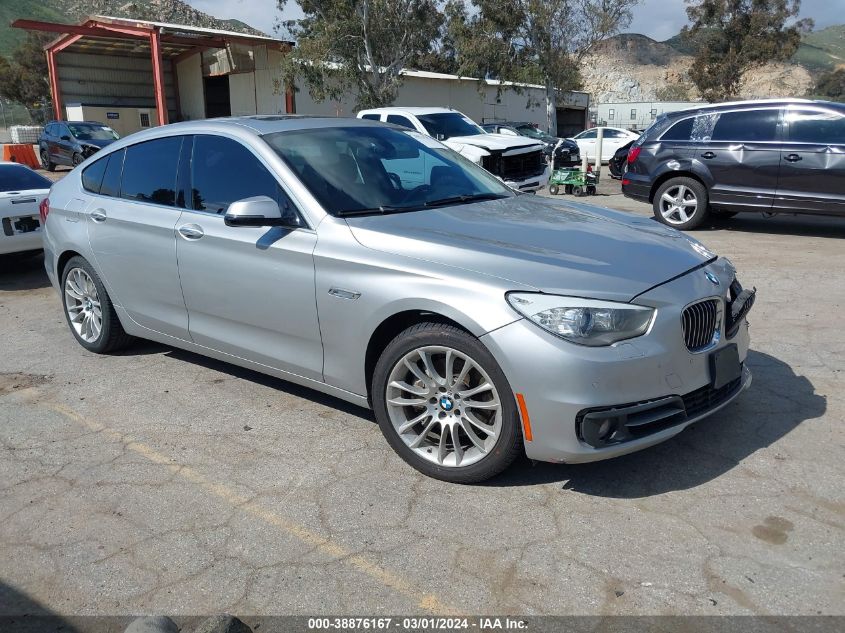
89	311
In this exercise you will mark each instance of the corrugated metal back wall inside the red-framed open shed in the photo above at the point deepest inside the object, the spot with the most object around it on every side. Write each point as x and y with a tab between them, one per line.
111	81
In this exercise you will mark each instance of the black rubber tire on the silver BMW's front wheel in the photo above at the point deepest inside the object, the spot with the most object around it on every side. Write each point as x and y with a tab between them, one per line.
506	446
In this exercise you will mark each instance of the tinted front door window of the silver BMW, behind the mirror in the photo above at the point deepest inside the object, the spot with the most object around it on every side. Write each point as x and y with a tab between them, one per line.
224	171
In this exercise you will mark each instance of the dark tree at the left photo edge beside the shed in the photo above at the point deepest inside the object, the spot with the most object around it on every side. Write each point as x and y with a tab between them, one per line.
24	77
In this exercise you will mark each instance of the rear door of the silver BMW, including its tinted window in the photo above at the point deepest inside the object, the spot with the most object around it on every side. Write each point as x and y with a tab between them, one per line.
131	226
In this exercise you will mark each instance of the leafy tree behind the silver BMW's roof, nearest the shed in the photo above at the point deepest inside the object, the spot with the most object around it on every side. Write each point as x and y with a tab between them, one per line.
361	44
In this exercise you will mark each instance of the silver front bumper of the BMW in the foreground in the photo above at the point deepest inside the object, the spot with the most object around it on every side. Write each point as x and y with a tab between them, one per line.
560	381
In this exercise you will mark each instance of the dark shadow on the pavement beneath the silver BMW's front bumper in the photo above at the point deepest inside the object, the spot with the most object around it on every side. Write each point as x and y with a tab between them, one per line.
777	402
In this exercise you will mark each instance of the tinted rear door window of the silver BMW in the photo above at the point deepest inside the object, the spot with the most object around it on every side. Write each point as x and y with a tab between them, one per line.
149	171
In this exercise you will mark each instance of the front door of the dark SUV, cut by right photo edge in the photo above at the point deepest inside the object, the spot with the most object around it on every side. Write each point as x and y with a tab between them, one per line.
812	168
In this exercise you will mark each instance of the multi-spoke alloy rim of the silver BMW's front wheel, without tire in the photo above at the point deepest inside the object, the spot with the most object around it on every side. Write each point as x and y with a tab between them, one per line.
444	406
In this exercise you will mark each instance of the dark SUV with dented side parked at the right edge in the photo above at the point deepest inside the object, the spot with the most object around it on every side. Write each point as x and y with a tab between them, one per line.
785	156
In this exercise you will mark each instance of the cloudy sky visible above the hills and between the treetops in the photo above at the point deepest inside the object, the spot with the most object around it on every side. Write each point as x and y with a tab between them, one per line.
659	19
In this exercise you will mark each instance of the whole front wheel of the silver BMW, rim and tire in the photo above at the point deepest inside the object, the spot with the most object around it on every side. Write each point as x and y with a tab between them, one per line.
444	404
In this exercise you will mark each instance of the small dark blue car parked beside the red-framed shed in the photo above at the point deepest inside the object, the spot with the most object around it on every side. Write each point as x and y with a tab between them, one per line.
71	142
